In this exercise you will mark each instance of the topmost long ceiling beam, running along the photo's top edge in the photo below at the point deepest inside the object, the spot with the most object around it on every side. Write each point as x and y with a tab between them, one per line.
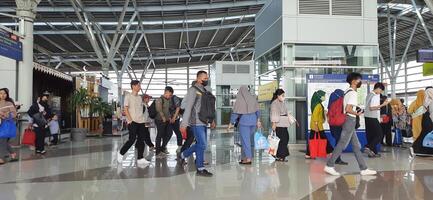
166	8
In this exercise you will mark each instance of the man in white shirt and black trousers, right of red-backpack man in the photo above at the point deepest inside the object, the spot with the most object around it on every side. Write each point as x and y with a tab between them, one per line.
373	129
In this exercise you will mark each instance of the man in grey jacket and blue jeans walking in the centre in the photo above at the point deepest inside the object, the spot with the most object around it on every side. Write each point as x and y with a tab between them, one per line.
191	118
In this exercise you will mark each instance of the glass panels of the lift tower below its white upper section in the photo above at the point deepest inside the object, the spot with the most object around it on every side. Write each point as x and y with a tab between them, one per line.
289	64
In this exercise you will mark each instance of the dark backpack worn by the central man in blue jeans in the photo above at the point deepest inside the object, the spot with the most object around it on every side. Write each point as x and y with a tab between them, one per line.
207	109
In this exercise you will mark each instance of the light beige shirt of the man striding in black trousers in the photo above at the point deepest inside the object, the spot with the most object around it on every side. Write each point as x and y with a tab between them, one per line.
135	108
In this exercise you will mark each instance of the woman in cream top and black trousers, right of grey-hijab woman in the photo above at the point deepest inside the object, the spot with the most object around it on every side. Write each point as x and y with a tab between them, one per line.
280	123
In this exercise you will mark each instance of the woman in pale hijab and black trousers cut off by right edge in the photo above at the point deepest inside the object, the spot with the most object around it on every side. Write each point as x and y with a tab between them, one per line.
427	127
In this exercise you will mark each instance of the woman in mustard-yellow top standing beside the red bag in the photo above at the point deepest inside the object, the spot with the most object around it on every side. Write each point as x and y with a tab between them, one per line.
317	120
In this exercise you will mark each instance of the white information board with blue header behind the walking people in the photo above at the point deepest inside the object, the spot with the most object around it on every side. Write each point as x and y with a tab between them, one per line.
330	82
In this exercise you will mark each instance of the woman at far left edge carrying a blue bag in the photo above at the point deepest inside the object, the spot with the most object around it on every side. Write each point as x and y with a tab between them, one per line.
7	112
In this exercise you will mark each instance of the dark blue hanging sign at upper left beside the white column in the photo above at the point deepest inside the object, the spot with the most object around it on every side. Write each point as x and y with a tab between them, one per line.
10	47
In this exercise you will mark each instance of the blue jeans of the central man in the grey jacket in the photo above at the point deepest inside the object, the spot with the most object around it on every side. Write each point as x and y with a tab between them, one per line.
200	134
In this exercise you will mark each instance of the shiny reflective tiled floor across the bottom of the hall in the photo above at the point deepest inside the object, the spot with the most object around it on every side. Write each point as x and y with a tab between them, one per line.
89	170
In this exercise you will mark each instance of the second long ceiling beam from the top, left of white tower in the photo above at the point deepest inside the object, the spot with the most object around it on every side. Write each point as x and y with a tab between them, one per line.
150	31
